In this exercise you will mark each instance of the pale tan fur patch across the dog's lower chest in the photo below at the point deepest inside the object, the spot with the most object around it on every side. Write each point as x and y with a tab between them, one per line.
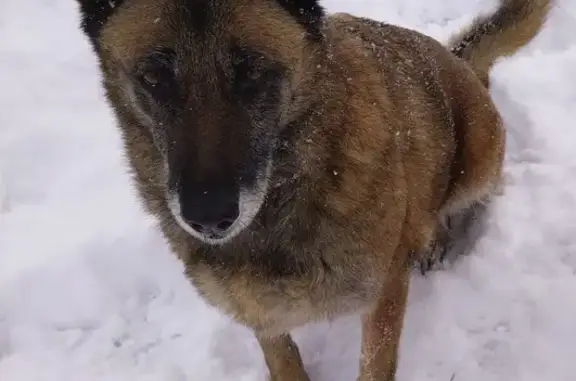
274	304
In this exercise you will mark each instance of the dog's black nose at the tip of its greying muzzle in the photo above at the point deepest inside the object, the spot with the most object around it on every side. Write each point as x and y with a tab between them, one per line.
209	209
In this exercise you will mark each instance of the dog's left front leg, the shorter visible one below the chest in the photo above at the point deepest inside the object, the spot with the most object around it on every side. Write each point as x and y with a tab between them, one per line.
283	358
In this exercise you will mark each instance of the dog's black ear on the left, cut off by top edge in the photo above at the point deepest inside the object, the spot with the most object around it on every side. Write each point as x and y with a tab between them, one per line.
94	15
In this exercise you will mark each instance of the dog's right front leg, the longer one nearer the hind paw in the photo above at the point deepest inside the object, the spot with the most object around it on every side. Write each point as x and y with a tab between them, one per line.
382	327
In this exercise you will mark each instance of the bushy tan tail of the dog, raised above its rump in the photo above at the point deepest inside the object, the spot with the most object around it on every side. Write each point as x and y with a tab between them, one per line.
514	24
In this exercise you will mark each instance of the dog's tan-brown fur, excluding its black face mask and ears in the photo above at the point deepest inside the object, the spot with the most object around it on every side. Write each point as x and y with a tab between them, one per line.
393	136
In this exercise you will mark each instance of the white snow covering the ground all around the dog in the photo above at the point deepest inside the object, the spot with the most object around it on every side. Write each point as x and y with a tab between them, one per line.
89	290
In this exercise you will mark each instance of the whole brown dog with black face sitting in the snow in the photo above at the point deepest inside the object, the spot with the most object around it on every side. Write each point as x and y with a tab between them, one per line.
298	161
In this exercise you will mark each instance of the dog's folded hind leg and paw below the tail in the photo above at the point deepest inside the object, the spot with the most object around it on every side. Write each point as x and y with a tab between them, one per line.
476	177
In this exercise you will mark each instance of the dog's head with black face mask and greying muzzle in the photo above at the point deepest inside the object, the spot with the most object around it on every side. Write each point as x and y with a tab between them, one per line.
210	84
